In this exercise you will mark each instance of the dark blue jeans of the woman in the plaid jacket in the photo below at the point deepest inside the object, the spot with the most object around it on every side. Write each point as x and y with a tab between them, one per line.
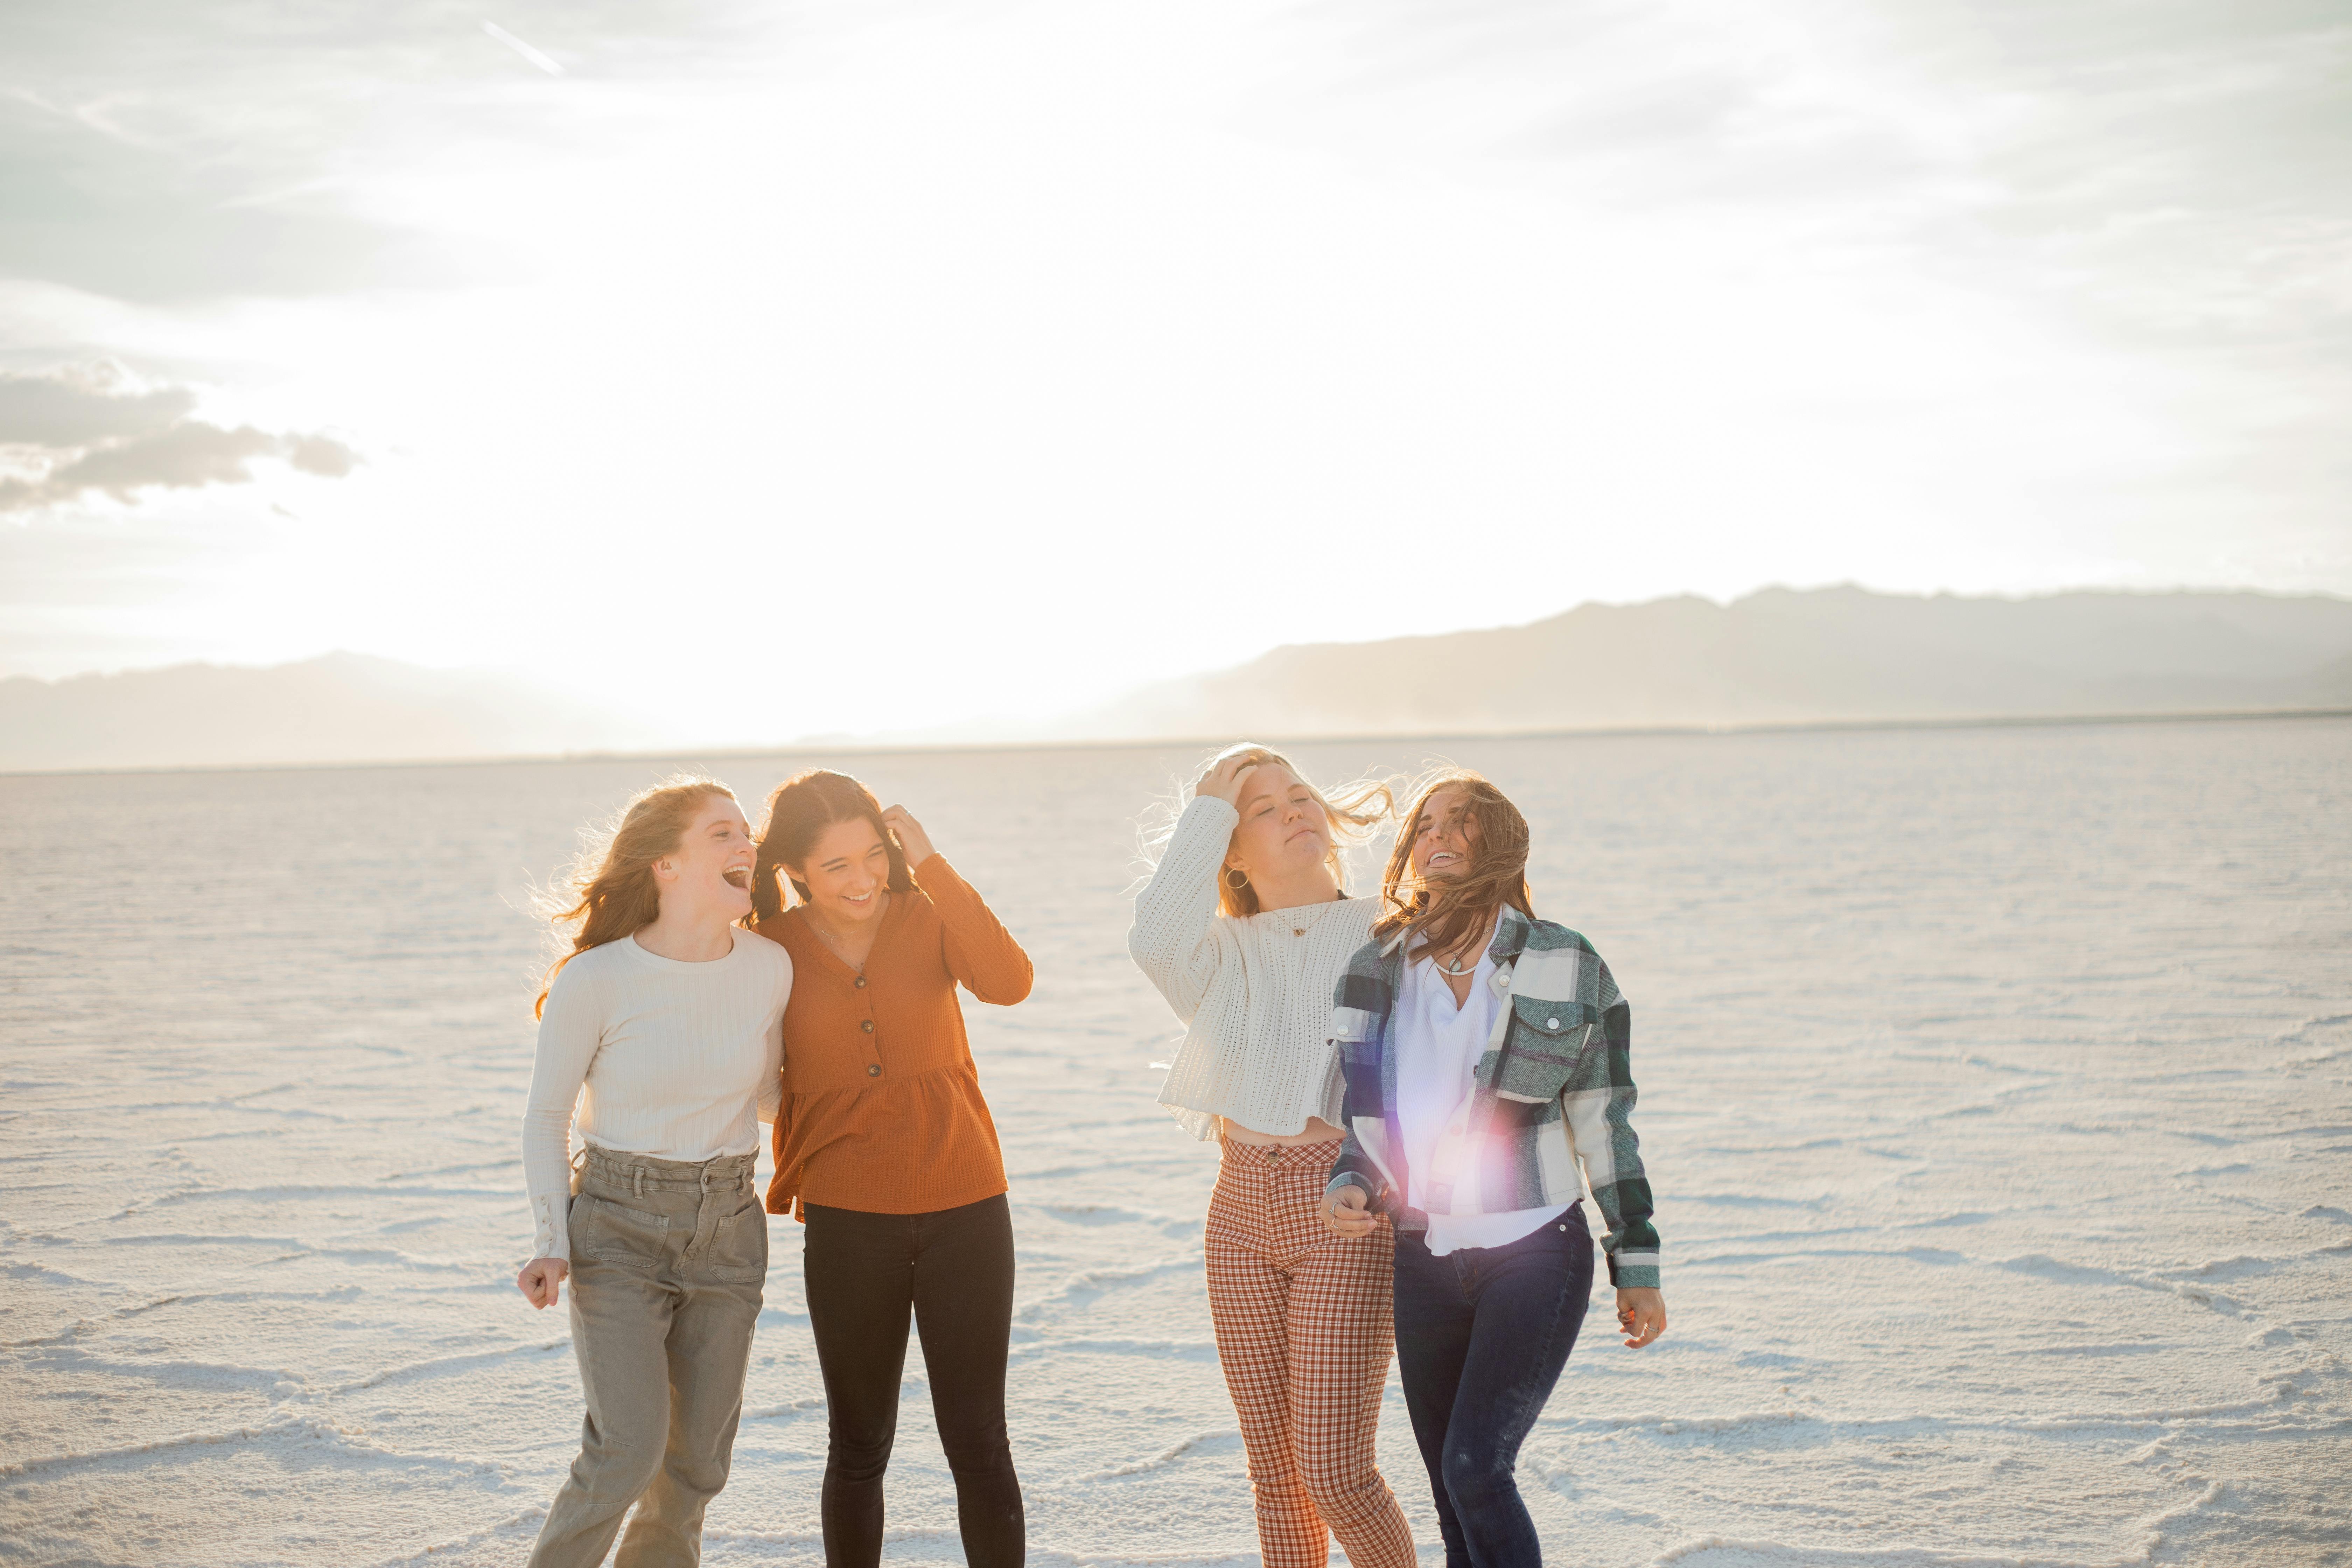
1481	1341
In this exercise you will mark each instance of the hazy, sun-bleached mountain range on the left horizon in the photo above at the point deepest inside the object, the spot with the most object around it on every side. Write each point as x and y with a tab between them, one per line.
333	709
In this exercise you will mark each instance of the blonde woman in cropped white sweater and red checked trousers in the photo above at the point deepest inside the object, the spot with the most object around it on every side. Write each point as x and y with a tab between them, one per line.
1245	927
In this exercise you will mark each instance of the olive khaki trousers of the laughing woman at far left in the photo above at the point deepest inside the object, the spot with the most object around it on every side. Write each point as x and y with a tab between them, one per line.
667	1268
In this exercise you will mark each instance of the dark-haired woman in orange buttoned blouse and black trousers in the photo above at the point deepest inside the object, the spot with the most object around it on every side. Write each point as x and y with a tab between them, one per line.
888	1153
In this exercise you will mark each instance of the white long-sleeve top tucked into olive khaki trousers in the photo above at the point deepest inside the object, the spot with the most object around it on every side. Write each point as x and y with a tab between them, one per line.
657	1057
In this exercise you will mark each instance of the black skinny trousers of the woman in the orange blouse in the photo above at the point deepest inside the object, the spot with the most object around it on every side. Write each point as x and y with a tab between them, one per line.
956	1273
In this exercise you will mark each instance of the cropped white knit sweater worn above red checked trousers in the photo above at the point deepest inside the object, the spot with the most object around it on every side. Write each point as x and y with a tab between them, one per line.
1255	991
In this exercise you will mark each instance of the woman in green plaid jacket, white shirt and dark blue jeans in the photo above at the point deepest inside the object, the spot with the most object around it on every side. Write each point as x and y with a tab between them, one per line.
1485	1059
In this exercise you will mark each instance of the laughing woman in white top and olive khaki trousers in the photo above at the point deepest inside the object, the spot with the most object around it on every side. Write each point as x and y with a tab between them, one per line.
662	1028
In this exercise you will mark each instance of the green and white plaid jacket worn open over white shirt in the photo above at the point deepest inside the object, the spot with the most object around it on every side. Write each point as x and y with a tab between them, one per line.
1551	1092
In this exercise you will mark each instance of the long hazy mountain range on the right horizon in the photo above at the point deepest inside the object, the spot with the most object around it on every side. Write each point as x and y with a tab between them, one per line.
1779	657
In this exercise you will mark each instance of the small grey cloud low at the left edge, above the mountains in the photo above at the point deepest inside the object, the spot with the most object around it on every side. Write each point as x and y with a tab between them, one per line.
91	431
